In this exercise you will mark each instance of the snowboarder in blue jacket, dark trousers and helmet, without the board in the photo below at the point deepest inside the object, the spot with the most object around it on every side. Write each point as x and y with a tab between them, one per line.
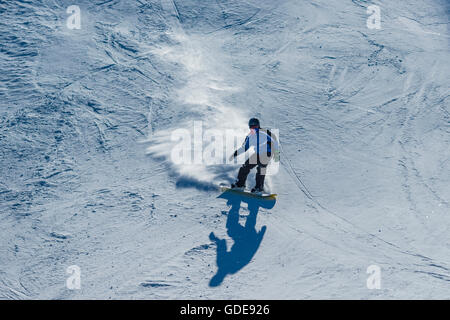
266	147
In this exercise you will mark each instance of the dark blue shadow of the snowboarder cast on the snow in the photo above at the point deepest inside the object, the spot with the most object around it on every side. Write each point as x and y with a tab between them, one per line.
246	239
